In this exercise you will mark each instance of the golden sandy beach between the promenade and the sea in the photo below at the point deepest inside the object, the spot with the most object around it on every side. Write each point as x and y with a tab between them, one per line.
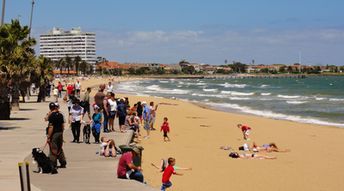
314	163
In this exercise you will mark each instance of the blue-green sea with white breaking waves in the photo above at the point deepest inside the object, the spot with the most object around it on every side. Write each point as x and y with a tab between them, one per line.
317	100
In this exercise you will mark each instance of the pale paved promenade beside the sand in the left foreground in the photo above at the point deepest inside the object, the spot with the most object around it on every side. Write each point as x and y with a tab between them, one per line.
85	170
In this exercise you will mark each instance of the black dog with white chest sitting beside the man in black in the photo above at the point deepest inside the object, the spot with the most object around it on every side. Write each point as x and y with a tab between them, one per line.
44	163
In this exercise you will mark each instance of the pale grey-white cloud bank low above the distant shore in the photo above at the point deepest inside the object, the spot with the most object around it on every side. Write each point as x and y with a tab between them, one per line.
213	46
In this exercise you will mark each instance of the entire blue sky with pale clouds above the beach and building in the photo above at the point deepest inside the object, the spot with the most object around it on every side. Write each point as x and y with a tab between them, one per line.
202	31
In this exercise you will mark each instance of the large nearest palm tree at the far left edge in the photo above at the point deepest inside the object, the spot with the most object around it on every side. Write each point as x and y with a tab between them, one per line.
16	54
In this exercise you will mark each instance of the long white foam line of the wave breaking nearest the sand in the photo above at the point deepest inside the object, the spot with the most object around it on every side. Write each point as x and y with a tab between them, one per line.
273	115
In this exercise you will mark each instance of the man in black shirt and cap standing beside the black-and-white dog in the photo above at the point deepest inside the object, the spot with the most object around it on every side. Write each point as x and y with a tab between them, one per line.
55	136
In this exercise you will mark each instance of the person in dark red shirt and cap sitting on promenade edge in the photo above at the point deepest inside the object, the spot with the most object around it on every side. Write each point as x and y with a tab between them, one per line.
127	169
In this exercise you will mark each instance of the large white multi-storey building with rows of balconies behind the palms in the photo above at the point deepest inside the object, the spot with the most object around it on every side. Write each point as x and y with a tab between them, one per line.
58	44
